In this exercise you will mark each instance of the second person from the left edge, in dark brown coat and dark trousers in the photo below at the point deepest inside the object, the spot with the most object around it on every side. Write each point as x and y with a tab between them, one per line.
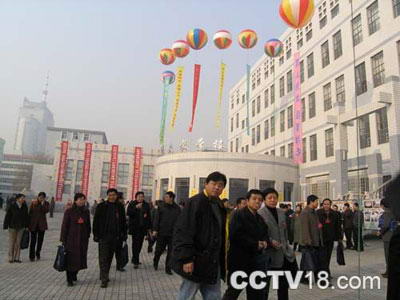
38	225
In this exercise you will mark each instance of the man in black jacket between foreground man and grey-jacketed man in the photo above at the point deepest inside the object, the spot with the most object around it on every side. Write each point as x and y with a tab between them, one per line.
248	236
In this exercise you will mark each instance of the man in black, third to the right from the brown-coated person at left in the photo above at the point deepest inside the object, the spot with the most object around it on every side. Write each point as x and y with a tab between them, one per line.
139	225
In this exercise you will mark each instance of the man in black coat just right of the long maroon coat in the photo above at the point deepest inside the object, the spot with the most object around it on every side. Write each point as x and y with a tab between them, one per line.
109	230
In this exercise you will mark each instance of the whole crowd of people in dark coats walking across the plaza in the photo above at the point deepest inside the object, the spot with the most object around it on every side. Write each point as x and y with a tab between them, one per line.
206	239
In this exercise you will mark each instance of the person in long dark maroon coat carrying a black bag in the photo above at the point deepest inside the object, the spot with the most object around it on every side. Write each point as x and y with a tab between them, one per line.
75	233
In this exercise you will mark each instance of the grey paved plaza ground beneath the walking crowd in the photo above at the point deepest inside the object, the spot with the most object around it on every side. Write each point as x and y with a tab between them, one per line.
38	280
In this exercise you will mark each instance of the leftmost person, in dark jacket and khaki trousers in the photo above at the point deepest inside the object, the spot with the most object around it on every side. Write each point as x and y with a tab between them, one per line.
16	220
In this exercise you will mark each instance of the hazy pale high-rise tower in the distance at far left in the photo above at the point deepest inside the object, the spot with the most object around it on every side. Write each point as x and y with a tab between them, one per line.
33	120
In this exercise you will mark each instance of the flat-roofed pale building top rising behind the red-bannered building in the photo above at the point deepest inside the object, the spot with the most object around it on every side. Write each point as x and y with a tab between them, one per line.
54	135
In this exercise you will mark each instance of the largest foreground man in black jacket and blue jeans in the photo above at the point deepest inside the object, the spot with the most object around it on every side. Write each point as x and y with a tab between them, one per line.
199	242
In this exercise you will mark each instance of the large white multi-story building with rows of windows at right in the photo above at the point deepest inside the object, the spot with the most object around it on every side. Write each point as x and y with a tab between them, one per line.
340	95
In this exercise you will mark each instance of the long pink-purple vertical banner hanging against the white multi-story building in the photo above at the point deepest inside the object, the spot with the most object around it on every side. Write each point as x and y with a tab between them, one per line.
298	111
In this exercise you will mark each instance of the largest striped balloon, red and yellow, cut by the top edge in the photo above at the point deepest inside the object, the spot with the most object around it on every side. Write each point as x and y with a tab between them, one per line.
296	13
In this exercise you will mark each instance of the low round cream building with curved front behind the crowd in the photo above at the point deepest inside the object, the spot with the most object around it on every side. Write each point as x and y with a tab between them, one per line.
185	174
